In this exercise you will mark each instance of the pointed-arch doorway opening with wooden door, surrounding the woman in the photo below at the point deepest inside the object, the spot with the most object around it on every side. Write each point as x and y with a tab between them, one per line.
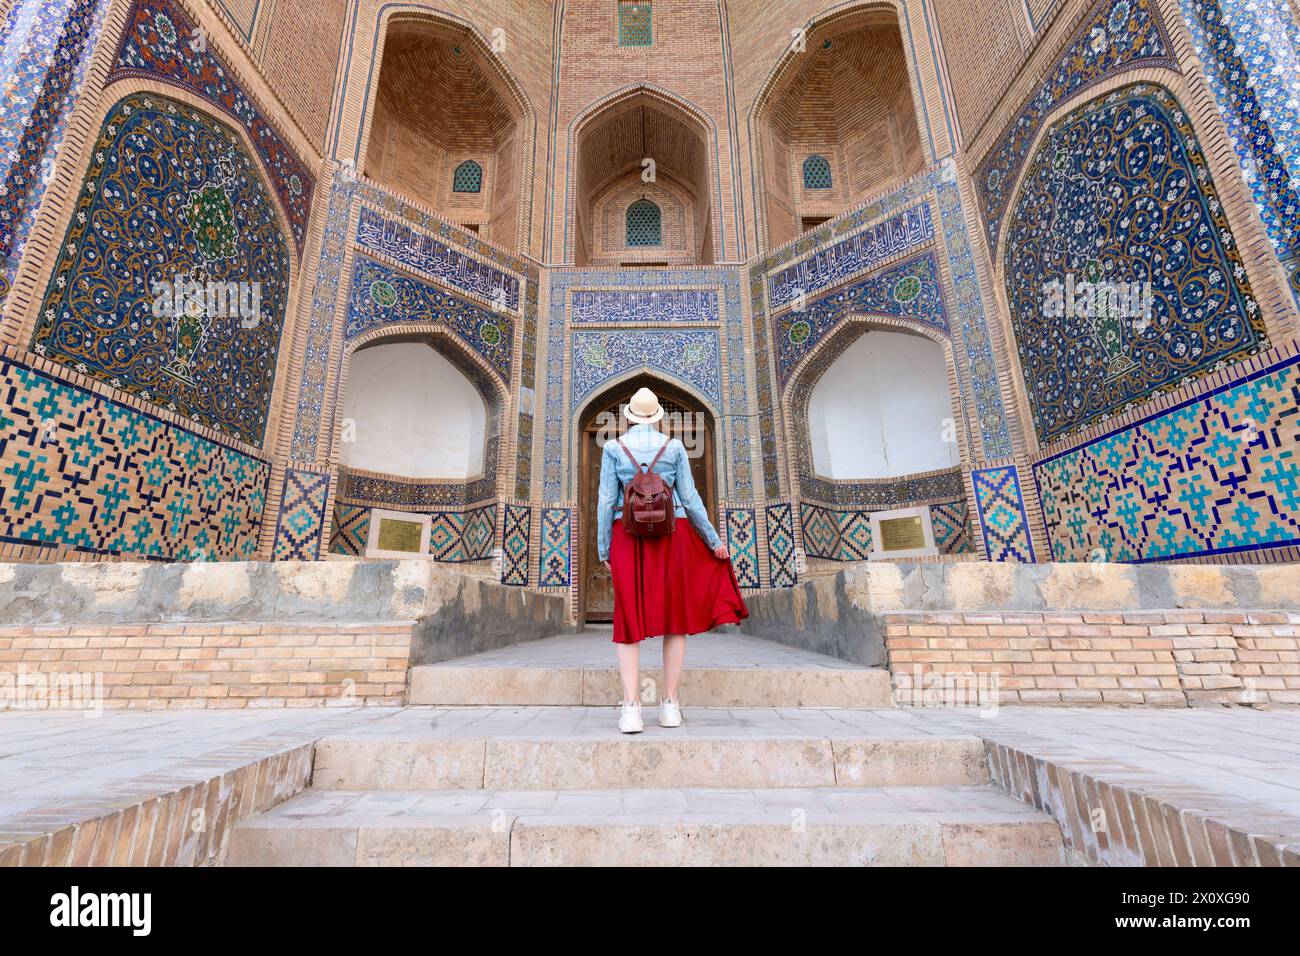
686	418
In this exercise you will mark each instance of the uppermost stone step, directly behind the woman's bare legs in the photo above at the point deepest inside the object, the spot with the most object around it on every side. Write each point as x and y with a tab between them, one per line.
723	671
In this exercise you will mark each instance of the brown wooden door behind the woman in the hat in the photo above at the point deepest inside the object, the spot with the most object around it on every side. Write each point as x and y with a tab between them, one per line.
596	590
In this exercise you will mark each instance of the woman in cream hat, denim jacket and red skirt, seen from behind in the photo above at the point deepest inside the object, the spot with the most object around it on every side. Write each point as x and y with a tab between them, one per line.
671	586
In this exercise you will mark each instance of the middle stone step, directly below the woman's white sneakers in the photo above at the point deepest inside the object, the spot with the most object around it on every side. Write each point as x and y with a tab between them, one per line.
580	749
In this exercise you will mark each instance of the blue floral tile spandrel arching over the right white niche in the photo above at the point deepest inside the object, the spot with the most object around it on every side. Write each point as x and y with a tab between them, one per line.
908	291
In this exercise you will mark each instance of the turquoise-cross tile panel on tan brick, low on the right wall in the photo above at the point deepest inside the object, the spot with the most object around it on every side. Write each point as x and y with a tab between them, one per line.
1216	475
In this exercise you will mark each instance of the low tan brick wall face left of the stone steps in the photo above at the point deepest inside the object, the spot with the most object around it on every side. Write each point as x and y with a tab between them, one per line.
220	665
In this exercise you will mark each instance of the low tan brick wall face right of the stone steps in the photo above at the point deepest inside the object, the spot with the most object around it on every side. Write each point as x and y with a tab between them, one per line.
1168	659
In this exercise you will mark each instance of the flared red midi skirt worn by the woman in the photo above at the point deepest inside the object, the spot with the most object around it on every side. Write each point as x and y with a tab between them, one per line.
671	585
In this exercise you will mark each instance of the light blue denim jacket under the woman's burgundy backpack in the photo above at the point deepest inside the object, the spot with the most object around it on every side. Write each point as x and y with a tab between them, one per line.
617	471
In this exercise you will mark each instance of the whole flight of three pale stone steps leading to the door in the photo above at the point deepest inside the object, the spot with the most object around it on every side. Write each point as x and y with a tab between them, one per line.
513	758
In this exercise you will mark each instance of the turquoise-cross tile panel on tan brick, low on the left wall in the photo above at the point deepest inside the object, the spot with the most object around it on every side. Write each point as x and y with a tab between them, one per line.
83	471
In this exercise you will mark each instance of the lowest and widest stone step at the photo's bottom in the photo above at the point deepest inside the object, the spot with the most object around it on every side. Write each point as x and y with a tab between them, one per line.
899	827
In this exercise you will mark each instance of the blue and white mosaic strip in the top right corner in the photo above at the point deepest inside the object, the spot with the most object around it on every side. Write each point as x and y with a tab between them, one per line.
1251	53
